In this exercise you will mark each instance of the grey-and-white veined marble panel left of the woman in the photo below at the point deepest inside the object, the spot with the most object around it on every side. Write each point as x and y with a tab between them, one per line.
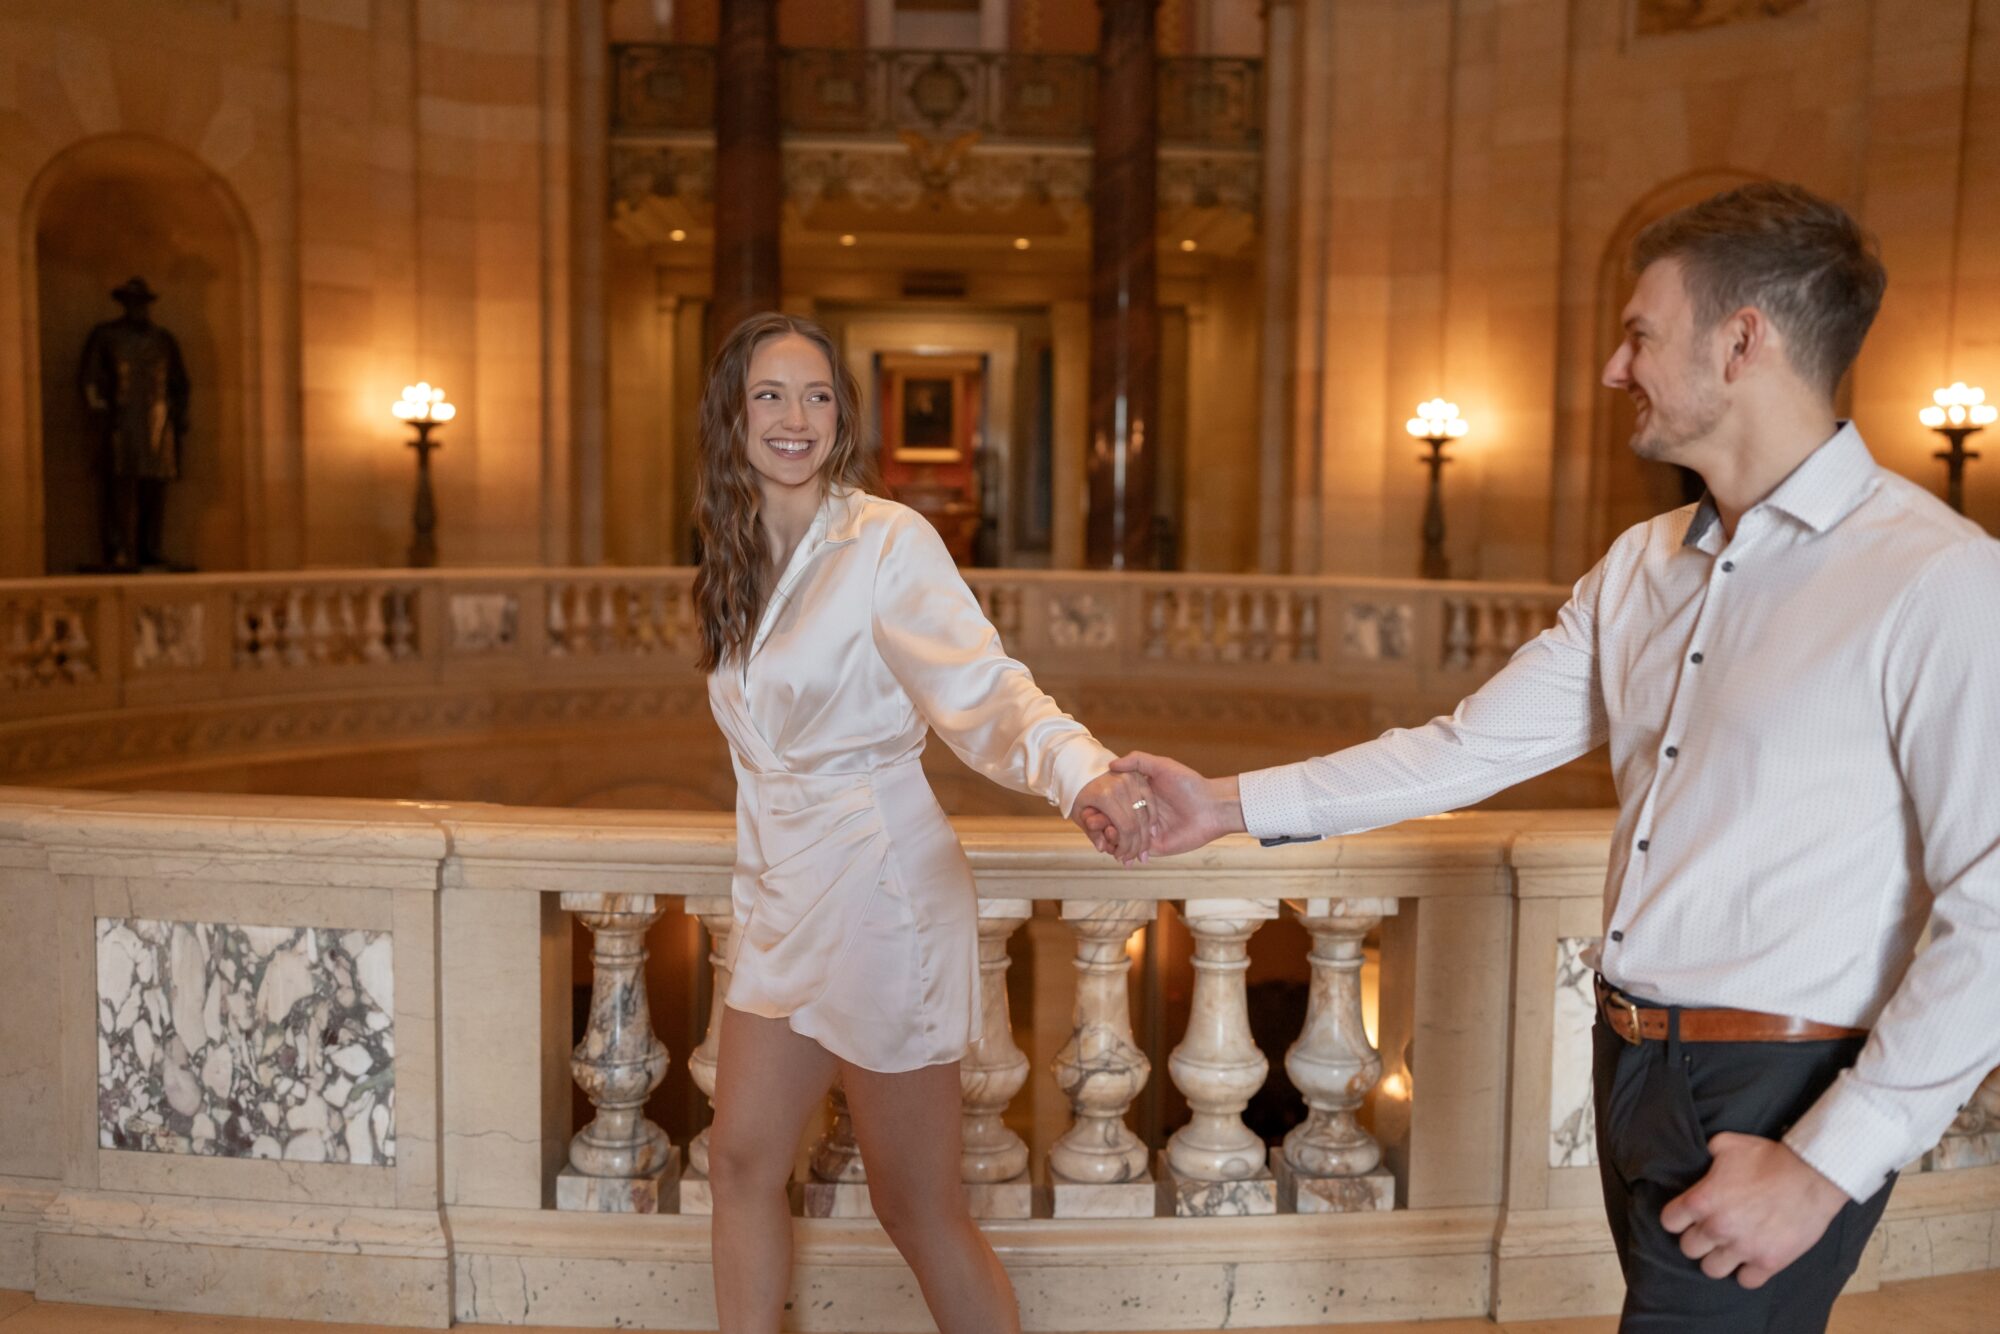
247	1041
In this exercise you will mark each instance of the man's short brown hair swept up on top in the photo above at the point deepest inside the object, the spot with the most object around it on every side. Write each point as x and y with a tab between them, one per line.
1799	259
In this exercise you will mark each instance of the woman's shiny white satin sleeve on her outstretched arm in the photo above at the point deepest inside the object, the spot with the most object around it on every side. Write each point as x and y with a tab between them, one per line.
949	661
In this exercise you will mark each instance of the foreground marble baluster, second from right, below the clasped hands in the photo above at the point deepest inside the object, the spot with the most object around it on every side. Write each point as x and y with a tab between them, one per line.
1215	1165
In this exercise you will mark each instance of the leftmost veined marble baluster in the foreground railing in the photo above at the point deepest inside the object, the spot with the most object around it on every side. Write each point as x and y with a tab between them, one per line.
621	1163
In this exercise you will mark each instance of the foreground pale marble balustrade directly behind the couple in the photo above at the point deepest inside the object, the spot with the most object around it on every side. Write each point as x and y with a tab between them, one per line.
317	1059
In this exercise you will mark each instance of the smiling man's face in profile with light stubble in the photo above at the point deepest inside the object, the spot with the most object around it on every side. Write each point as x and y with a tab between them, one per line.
1667	367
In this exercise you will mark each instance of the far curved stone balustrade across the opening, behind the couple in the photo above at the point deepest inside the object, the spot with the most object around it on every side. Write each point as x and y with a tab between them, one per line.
85	643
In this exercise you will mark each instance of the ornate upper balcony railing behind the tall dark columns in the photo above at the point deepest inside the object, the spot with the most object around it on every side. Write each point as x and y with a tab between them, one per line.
1205	101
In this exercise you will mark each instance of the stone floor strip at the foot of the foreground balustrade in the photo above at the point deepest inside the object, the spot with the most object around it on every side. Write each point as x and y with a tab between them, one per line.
1961	1305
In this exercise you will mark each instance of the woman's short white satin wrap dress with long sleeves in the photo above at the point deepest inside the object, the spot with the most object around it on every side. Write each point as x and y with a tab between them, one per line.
855	911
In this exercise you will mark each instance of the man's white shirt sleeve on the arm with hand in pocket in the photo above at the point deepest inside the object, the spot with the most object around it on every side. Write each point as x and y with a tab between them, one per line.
1935	1039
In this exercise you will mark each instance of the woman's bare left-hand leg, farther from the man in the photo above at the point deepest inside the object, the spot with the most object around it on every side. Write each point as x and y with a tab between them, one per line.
769	1079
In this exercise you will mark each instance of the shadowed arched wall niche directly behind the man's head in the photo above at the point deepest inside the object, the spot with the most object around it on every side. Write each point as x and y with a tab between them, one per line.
1627	489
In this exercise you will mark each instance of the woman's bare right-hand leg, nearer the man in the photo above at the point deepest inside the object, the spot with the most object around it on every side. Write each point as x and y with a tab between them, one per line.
909	1131
